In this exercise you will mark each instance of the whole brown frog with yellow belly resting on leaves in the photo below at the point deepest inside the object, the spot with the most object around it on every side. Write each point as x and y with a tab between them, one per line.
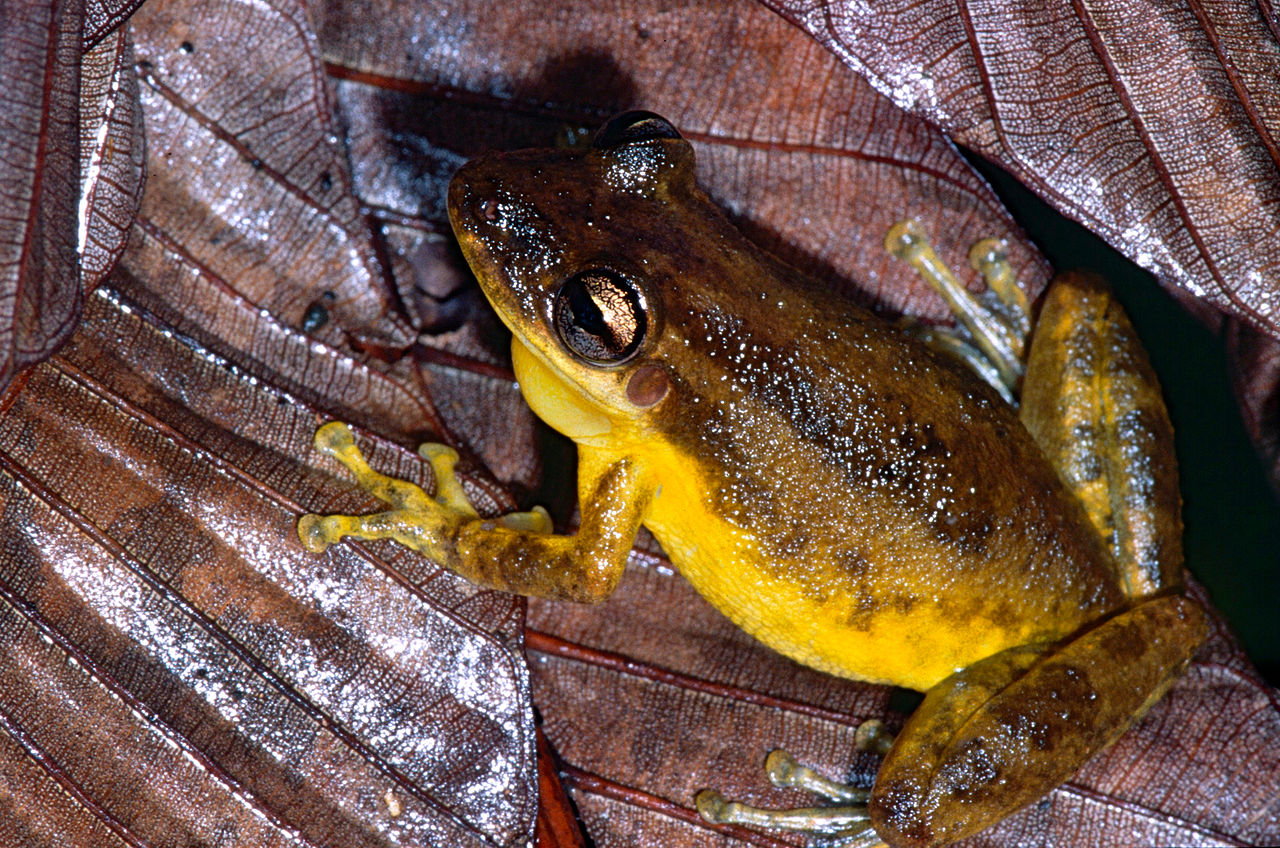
993	523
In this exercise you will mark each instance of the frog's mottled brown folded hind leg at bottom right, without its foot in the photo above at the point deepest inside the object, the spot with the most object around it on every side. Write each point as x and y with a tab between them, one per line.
1004	732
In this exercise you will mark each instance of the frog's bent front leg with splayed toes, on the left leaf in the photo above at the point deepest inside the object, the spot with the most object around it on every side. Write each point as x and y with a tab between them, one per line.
516	553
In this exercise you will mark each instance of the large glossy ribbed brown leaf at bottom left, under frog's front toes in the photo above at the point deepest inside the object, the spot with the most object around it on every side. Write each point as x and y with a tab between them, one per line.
175	667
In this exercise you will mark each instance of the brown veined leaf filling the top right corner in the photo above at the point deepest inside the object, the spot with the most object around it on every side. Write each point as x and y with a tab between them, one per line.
1151	124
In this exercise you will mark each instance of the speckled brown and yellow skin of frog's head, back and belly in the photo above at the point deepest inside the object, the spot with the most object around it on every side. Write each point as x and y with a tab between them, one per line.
834	486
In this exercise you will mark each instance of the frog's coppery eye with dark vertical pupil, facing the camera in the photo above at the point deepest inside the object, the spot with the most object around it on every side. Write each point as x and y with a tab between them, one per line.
600	316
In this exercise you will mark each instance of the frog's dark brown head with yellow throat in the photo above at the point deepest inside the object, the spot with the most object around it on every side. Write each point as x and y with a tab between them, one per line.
577	250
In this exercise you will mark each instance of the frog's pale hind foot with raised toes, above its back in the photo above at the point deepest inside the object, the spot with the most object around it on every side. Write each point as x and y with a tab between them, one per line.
993	330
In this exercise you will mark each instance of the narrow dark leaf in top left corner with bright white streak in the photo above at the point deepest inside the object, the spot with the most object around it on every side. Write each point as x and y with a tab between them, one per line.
71	161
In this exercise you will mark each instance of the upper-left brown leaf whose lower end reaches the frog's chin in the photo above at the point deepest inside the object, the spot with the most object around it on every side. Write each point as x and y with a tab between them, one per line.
250	238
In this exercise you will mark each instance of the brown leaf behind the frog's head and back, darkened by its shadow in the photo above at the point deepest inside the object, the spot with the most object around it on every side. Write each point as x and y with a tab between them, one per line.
808	158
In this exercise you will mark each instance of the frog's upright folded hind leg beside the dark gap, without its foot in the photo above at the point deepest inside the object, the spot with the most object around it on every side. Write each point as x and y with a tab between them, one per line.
1092	403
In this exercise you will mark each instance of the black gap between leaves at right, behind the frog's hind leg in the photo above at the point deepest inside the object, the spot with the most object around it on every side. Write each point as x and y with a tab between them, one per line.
1232	539
